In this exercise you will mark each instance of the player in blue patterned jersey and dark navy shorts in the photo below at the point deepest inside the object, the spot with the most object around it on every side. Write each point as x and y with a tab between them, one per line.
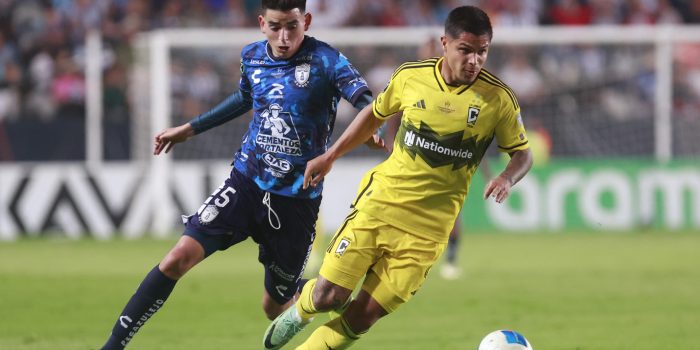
293	84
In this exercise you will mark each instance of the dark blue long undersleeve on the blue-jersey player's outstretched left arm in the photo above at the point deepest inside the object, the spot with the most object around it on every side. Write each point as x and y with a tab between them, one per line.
230	108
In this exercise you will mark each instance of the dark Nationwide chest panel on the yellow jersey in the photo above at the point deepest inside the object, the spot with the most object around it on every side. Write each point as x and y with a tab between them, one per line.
440	150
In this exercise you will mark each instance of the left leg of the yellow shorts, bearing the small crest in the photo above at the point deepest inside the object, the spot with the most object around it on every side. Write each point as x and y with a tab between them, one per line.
352	250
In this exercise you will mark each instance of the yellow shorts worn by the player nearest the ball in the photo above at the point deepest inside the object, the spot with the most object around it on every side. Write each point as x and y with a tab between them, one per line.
396	262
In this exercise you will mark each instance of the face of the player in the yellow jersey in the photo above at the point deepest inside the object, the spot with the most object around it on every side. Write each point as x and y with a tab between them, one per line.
465	55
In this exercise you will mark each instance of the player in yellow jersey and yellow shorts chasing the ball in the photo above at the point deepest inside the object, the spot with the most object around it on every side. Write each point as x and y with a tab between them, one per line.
406	206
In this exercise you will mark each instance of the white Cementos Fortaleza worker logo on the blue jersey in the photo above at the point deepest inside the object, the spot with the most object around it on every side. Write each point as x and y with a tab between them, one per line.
277	132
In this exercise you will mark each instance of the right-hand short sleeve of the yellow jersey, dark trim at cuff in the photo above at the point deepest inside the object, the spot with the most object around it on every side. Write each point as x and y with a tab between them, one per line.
510	131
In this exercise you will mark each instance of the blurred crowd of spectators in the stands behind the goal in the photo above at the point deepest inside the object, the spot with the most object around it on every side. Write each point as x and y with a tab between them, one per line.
42	53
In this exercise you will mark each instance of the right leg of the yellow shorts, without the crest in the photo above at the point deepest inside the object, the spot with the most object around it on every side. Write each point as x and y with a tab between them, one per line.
403	267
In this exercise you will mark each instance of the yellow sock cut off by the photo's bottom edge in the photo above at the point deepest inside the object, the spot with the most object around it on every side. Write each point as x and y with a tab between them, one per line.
336	334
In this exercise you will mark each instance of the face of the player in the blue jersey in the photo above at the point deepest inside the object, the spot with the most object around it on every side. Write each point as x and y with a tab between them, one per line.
284	30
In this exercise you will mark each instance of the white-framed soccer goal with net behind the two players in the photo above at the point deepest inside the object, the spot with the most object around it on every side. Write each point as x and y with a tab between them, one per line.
584	92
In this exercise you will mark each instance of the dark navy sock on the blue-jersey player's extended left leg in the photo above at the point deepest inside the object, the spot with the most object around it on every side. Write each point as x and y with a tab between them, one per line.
149	298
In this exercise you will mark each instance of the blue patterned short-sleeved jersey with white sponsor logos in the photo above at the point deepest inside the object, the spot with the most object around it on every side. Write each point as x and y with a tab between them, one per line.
294	107
